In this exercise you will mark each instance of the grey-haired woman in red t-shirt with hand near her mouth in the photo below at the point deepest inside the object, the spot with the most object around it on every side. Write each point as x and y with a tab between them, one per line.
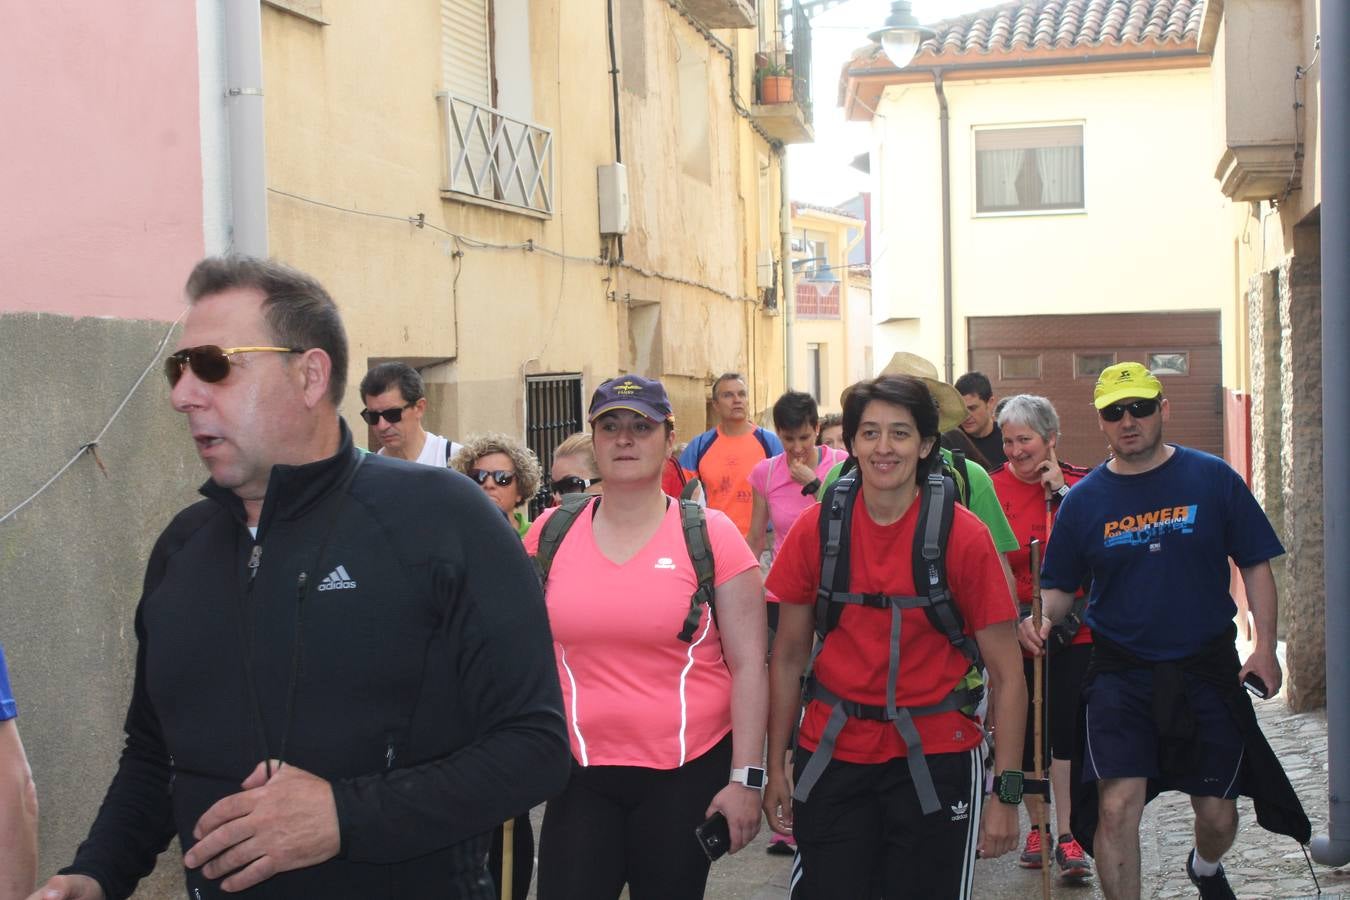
1031	486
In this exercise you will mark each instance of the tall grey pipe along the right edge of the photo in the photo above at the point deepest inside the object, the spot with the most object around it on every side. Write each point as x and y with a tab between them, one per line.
1333	848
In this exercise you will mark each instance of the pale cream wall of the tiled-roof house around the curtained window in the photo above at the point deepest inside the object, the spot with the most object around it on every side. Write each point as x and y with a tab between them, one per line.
1147	241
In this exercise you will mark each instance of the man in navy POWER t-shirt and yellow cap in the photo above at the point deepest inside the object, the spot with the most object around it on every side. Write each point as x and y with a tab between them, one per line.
1163	705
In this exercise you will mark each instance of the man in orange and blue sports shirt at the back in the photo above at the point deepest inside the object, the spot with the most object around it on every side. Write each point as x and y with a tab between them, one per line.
724	457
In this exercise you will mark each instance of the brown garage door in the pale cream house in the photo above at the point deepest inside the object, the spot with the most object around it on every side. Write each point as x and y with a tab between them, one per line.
1059	357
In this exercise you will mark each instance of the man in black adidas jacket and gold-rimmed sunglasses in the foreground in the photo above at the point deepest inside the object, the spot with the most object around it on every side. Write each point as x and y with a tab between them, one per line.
345	674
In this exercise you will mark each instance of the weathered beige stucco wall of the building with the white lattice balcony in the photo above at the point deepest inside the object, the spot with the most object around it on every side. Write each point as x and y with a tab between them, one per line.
353	122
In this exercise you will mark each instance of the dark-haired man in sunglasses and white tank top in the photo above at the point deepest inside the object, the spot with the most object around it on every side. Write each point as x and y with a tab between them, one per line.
396	401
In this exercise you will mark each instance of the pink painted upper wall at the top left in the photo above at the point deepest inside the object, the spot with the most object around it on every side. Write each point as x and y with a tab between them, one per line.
101	157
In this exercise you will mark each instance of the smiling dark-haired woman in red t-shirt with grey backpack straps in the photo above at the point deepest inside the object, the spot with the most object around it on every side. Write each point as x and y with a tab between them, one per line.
861	829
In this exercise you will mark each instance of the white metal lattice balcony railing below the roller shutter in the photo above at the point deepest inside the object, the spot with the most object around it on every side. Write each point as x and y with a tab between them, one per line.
496	159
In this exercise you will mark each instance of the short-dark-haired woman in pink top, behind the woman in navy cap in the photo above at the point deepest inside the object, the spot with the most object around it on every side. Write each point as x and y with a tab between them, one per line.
786	485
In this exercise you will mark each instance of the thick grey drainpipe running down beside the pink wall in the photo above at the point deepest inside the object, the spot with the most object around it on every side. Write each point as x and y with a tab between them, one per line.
245	119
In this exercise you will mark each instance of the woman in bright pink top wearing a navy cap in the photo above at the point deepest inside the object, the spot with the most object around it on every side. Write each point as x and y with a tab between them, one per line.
665	732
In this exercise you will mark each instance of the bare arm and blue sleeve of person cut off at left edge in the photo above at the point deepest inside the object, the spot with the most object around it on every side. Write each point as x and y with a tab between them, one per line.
18	802
